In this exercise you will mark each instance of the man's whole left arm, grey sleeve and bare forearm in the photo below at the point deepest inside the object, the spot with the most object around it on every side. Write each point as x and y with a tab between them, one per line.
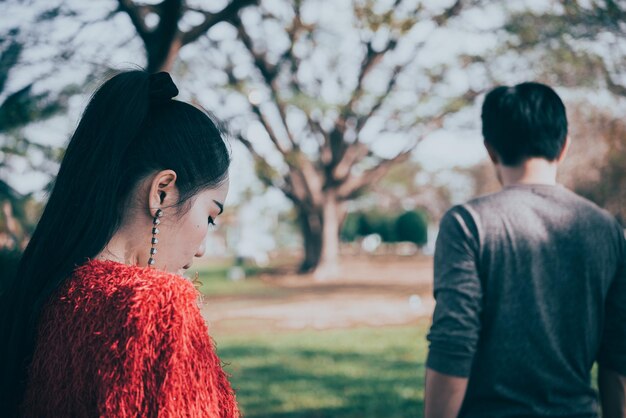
456	323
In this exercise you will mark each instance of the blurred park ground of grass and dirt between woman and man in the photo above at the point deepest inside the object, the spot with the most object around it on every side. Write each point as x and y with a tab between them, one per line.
348	347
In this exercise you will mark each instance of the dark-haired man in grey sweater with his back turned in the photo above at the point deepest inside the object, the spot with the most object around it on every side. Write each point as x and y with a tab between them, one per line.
530	282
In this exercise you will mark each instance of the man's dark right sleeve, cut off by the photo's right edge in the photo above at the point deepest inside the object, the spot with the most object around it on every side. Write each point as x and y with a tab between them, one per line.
612	353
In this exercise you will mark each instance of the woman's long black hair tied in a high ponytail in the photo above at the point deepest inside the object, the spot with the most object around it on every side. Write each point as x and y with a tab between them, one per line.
130	129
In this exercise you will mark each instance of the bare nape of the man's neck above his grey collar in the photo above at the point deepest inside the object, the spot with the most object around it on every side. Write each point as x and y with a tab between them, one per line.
531	171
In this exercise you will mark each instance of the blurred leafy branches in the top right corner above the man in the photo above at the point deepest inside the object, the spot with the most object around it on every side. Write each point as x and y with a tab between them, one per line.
577	44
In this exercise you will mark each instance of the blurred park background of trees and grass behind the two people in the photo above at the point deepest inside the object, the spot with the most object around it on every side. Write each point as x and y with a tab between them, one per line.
353	124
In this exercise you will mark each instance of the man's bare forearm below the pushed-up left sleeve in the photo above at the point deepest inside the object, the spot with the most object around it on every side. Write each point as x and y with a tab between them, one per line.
443	395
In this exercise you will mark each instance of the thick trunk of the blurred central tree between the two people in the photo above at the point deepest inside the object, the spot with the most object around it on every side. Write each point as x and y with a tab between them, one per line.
320	232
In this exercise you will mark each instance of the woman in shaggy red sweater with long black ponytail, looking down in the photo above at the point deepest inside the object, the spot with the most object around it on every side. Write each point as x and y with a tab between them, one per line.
98	323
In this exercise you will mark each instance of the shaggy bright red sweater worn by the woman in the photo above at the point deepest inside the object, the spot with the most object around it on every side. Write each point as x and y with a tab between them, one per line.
126	341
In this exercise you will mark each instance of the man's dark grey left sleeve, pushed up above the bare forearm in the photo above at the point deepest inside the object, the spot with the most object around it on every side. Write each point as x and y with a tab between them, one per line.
456	322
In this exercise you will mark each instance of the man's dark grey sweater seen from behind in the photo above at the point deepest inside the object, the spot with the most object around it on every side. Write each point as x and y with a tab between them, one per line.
521	281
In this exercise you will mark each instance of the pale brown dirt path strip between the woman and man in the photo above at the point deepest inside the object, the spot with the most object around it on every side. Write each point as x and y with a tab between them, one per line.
374	292
